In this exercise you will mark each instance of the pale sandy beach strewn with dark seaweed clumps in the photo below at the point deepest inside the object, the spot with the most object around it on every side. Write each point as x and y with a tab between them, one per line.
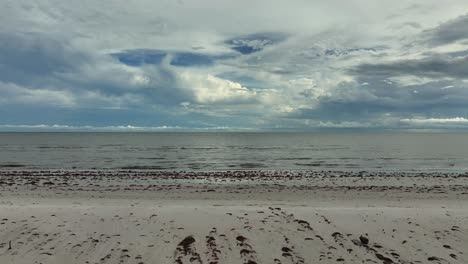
232	217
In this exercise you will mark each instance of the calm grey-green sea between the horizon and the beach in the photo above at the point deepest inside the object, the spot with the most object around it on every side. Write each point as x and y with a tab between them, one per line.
445	152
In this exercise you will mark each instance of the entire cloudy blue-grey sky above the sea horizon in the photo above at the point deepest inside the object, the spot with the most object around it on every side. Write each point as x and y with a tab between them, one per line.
210	65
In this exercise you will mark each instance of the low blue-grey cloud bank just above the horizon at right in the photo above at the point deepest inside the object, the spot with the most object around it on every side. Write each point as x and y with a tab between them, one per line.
376	99
